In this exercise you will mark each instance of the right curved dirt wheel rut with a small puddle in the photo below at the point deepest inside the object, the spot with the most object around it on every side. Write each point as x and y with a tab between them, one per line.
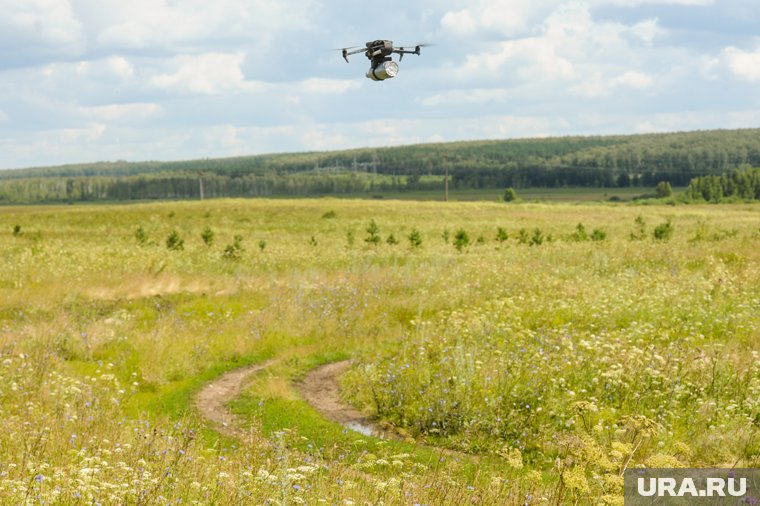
320	389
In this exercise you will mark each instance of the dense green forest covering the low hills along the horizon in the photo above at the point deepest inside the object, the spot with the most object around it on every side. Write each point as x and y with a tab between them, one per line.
609	161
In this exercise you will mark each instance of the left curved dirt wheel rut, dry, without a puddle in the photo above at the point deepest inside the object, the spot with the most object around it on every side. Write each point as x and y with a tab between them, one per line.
212	400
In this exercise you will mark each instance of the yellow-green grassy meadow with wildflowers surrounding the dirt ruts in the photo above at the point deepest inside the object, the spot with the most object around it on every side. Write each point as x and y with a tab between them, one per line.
527	353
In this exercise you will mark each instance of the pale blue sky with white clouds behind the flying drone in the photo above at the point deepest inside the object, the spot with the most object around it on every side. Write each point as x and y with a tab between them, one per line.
92	80
